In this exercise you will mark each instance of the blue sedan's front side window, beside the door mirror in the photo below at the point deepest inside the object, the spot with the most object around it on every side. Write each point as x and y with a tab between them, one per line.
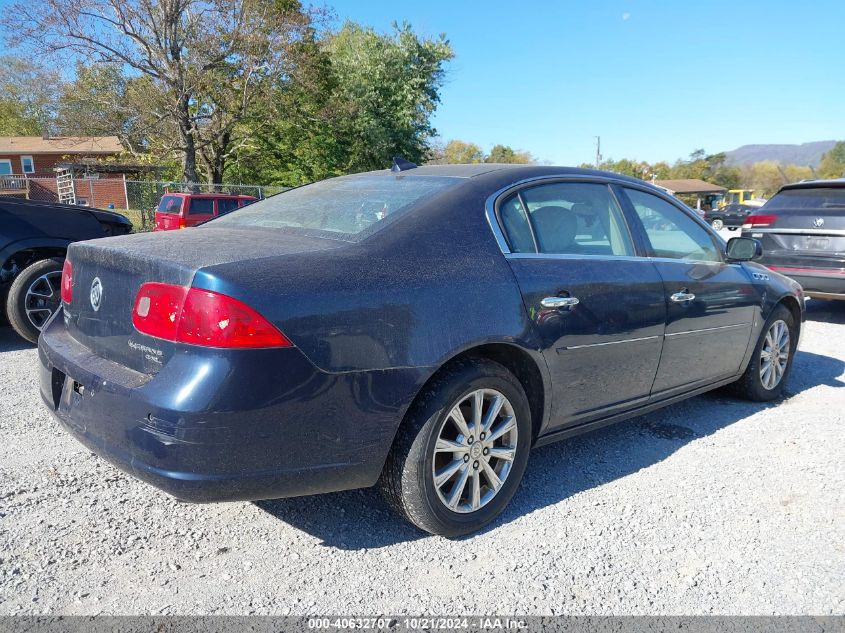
672	233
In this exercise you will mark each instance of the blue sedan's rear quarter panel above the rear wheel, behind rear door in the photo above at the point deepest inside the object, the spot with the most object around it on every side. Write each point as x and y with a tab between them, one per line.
413	295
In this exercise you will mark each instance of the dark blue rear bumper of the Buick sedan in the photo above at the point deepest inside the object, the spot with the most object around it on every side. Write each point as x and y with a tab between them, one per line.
253	424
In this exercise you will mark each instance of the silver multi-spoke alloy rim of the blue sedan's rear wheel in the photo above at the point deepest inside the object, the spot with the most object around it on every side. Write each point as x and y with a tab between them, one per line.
475	449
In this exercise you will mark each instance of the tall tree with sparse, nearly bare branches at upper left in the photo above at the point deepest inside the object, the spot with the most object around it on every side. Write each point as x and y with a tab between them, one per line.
208	62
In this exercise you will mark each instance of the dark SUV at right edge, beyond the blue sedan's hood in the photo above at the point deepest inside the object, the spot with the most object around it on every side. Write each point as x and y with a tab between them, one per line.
802	229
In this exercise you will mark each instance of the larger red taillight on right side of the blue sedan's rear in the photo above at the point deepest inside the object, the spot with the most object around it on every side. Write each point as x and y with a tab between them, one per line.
202	317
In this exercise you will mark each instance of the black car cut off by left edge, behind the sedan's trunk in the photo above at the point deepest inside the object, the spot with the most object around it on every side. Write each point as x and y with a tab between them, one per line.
34	237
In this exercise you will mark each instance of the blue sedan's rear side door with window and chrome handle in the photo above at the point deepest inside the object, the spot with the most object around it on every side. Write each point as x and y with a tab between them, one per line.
597	309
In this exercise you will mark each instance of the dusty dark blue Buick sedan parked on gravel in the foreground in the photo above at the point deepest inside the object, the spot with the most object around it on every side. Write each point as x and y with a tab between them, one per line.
421	328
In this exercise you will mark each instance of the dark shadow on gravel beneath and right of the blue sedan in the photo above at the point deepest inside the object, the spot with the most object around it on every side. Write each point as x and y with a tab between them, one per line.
360	519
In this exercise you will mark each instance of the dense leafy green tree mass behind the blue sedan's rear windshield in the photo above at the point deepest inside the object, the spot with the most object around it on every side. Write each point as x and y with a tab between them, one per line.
354	99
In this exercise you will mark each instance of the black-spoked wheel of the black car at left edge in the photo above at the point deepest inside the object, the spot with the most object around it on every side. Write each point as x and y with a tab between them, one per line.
34	297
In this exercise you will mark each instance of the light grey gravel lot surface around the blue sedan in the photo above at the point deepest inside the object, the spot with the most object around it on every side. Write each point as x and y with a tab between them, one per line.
710	506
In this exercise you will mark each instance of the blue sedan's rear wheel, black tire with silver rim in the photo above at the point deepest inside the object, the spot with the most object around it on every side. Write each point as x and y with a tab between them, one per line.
461	451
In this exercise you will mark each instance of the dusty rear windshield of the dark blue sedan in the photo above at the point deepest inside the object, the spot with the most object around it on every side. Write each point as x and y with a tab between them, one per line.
348	207
